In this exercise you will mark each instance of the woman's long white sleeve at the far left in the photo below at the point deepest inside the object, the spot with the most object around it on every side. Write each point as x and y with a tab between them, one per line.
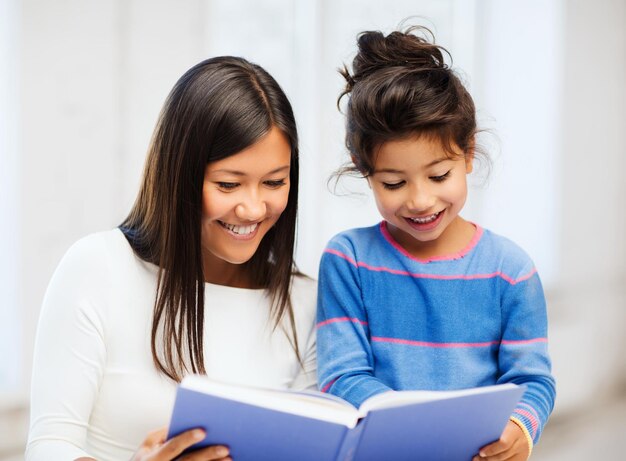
69	356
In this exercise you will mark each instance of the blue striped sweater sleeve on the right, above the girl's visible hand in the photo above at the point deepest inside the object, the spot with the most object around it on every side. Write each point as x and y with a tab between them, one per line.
523	356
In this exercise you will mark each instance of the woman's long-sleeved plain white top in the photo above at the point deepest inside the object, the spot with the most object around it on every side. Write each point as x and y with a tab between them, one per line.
95	389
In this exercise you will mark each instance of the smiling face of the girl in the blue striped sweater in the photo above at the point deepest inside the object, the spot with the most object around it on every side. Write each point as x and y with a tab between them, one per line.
419	191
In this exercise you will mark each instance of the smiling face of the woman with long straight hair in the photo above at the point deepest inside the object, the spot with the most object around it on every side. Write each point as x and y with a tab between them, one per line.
242	198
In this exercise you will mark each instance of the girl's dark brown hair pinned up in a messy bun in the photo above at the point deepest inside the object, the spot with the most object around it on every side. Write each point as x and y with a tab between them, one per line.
401	86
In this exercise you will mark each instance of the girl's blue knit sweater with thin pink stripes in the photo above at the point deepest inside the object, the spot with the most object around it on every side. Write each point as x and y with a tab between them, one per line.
387	320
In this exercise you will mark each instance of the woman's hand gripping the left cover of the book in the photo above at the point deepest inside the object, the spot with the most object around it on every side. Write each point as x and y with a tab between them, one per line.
155	448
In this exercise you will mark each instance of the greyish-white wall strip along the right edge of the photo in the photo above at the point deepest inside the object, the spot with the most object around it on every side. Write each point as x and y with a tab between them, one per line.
588	309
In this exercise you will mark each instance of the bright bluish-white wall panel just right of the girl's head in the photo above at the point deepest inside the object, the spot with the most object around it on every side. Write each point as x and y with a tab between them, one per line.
518	96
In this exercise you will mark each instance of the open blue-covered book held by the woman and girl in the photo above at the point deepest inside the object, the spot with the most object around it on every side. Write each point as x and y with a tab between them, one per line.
260	424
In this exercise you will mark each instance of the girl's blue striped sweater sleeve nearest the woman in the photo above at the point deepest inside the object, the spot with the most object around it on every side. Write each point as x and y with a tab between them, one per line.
345	359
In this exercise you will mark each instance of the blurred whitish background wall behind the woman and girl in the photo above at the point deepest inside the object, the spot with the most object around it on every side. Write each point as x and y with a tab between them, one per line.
82	82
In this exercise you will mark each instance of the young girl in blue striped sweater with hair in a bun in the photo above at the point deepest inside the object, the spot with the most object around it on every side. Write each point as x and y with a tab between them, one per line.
426	299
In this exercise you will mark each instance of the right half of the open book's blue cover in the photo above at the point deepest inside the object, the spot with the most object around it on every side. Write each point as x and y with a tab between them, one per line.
445	429
